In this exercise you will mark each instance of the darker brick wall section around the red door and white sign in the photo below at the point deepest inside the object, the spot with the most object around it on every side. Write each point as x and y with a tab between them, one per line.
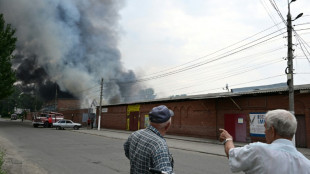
263	104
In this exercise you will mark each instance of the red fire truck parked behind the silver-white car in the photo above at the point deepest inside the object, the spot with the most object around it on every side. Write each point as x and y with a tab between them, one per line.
42	119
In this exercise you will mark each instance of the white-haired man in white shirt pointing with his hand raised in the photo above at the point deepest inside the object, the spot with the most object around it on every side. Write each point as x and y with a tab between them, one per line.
279	155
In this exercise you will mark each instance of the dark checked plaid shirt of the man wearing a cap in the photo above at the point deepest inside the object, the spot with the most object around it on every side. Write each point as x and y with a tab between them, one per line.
147	148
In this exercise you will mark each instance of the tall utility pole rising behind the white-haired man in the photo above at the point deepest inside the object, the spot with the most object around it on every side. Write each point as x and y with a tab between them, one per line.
289	71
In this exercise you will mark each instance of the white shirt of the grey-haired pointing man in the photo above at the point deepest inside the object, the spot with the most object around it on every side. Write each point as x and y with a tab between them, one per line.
280	156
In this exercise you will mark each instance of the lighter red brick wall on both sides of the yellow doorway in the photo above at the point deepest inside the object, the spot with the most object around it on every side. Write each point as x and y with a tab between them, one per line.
193	118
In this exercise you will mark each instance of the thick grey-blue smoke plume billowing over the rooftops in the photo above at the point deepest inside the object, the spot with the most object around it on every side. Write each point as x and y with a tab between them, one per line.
71	45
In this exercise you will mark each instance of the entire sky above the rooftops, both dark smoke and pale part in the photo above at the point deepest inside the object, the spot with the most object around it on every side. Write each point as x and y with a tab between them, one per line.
175	47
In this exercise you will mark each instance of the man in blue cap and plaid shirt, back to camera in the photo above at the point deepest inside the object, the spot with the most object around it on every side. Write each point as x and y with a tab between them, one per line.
146	148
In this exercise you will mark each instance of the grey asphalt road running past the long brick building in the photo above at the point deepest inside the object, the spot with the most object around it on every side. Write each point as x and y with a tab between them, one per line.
47	150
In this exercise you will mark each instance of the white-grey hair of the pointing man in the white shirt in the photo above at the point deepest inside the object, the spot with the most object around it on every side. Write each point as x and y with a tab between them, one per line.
283	122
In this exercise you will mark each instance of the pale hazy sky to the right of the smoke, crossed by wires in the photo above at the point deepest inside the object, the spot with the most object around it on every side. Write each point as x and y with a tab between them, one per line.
203	46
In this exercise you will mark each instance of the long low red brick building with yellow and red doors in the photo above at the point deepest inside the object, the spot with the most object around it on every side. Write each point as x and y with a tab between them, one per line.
203	115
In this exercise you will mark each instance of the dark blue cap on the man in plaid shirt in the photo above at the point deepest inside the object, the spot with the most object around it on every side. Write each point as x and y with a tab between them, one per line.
160	114
